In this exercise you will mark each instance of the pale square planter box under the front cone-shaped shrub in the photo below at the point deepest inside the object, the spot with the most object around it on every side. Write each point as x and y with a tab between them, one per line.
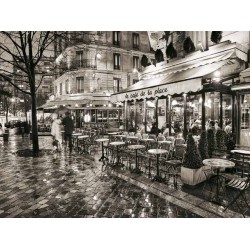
193	177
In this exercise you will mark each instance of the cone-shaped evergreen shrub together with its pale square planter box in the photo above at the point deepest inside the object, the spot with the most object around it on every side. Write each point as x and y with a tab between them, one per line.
192	169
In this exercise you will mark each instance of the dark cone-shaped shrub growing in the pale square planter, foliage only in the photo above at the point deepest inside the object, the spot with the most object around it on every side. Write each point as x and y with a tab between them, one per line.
192	158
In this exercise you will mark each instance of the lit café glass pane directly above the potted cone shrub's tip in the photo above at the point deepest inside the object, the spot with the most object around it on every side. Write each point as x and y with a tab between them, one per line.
194	109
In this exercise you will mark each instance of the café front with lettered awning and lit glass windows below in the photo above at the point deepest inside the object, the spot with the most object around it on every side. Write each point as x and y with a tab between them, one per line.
186	91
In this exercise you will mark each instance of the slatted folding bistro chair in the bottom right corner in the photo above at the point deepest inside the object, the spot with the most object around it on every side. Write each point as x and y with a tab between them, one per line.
236	189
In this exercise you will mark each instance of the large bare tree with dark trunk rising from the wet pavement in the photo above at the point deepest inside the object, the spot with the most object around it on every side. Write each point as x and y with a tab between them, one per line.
20	54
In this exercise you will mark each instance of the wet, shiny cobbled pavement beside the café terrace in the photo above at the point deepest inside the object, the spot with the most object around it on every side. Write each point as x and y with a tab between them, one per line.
63	185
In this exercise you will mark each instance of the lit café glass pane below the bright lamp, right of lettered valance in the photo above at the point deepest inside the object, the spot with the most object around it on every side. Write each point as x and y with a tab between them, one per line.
212	108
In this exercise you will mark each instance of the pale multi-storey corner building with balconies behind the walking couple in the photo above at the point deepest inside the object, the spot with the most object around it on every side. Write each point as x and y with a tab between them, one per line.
93	65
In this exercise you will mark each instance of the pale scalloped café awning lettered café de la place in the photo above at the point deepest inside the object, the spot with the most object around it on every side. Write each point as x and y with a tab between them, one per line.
180	78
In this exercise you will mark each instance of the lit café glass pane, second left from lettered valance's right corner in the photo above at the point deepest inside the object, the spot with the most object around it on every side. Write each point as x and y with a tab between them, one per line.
177	114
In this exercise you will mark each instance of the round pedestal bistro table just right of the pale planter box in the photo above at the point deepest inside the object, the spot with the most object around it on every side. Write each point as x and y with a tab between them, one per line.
218	164
